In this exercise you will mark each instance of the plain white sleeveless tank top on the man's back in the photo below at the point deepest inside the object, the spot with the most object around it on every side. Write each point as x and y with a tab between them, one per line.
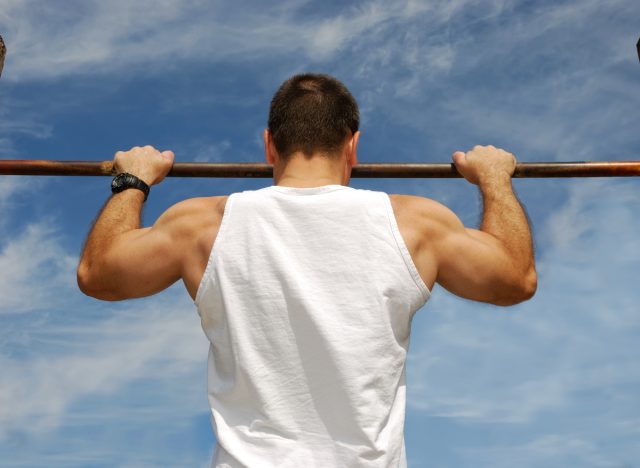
307	301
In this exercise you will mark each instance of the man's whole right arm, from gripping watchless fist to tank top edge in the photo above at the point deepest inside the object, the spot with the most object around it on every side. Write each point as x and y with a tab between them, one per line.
492	264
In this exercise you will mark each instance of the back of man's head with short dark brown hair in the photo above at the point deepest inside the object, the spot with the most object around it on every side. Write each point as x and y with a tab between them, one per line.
312	113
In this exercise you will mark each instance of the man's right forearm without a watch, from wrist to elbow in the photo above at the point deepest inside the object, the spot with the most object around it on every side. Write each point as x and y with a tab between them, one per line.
505	218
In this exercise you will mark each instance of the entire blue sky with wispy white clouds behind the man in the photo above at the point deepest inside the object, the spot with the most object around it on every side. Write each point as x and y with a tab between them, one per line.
553	382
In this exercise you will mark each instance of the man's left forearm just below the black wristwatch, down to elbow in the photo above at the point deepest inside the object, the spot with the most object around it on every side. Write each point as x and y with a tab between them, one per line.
121	213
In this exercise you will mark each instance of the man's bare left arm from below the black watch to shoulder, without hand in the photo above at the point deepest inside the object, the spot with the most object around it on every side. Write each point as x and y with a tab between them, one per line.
122	261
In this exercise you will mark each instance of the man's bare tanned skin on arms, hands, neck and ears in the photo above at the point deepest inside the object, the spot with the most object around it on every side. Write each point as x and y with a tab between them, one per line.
493	264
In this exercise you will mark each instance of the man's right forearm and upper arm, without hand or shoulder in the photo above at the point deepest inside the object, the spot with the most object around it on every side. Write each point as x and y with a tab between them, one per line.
494	264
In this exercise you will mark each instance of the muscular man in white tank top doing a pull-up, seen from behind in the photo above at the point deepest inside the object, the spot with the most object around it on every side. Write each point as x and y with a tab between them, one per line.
306	289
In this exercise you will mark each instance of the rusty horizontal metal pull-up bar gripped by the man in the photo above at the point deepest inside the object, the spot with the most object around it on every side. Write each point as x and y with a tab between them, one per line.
378	170
